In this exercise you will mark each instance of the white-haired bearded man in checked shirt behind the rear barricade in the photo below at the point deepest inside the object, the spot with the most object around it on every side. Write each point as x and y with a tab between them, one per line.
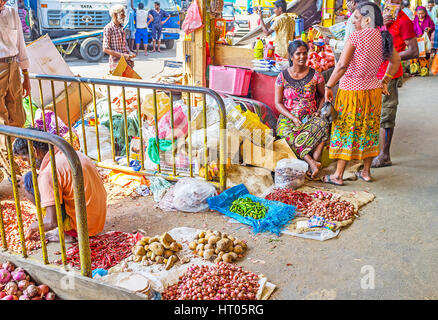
114	39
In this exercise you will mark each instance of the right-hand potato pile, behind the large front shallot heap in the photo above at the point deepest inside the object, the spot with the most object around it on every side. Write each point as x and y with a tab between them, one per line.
218	246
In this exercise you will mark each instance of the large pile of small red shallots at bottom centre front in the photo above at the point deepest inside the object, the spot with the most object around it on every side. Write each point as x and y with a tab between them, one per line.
222	281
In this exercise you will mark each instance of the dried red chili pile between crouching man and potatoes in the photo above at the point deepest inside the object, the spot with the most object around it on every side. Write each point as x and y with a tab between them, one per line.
107	250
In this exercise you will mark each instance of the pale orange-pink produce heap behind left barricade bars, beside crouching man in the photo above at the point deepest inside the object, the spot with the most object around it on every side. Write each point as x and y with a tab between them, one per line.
28	215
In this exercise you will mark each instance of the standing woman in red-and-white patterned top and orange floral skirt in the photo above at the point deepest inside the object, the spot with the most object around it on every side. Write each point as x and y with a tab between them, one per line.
355	132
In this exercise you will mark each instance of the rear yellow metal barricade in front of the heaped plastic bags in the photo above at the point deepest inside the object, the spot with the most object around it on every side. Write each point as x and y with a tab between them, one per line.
172	90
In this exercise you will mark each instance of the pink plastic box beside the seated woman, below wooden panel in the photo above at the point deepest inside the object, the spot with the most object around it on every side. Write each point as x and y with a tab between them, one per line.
232	80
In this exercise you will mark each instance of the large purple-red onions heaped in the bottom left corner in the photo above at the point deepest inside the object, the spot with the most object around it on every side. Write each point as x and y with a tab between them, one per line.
15	284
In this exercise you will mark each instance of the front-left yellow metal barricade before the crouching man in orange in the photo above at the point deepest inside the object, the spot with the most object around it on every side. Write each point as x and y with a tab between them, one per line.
78	187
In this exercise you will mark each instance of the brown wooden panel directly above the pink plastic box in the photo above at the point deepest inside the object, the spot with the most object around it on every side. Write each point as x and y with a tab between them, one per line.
232	55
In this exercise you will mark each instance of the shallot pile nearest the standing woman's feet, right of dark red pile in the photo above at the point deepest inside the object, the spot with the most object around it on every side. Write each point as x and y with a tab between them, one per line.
334	210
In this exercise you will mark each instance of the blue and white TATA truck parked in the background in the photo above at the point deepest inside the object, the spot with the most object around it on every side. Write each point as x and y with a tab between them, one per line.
76	26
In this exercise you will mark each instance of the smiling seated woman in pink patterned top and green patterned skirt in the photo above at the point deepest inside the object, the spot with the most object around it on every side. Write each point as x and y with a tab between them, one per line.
299	97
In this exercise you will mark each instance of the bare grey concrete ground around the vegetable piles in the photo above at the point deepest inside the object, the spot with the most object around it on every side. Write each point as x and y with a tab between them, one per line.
394	239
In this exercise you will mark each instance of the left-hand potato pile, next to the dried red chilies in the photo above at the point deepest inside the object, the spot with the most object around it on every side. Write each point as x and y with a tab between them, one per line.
158	249
